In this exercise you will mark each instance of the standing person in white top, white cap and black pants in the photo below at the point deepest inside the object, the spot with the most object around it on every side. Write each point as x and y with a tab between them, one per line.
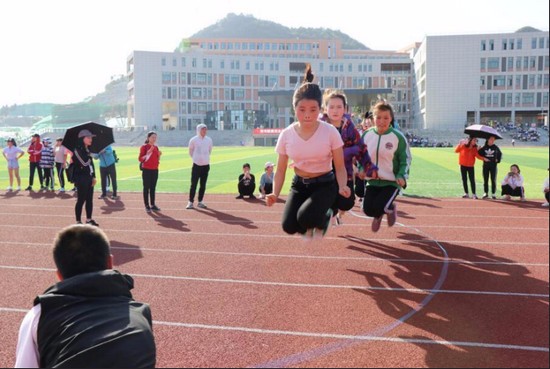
200	149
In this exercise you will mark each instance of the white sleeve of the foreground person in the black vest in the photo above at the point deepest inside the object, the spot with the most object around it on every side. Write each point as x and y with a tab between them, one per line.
27	355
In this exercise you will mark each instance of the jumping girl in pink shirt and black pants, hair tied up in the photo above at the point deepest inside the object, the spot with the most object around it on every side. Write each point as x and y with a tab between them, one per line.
313	146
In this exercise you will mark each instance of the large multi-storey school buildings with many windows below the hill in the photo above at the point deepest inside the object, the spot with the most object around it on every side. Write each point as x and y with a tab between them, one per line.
442	82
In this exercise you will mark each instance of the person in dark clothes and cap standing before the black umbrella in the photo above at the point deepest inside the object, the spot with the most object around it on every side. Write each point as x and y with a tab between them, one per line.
84	176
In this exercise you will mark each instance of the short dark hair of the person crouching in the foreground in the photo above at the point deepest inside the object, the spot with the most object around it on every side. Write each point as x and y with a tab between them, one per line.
81	249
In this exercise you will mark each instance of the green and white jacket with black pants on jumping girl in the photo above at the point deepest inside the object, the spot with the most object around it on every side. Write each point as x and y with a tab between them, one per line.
391	154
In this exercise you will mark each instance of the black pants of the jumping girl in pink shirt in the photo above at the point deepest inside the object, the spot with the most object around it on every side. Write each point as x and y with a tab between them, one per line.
308	206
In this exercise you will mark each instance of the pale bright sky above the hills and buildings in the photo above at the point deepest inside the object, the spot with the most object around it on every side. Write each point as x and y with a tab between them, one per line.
63	51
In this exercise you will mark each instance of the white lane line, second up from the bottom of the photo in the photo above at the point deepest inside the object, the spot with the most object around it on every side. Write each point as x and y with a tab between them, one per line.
305	285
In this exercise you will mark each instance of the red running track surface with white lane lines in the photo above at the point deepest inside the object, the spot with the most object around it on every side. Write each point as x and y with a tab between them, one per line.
456	283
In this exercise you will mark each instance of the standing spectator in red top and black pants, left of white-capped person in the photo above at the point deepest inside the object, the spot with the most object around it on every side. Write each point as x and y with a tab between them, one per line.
149	157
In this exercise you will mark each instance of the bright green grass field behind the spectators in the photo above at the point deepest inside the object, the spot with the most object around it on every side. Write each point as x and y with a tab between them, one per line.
434	171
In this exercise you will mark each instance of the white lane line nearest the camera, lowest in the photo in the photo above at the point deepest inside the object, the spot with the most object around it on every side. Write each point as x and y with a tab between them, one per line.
328	335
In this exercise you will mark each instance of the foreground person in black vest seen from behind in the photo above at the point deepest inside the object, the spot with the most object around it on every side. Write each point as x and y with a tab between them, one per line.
88	319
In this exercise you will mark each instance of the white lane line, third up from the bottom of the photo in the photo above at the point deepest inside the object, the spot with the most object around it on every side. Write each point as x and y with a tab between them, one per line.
294	256
